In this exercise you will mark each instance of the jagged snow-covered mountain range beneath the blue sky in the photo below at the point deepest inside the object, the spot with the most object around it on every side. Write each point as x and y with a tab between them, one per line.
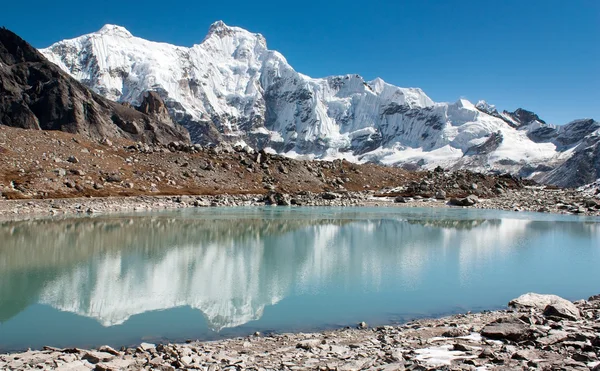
232	87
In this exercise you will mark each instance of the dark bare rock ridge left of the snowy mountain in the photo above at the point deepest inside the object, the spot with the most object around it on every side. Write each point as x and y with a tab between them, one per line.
36	94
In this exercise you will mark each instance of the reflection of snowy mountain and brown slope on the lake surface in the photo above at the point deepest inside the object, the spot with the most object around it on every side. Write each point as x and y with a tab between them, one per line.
231	265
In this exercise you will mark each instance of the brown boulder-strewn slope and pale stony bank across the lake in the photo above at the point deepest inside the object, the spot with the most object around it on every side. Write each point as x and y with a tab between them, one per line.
50	173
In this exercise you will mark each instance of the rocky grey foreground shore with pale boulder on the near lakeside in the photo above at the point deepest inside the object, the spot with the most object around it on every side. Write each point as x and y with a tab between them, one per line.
537	332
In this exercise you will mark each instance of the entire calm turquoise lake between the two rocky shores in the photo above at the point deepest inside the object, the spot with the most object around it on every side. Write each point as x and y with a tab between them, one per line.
211	273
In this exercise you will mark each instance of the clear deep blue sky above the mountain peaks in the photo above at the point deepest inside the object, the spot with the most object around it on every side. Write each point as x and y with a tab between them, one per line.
542	55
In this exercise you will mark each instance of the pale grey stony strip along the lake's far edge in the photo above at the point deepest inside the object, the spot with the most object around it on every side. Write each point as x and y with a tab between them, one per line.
532	199
